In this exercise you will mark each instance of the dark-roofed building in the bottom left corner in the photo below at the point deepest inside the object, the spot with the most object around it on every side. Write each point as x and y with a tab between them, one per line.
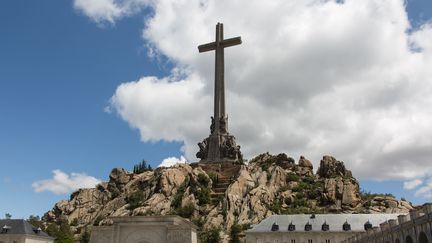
21	231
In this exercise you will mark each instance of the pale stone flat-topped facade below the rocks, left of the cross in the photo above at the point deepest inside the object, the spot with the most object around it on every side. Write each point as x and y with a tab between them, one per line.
146	229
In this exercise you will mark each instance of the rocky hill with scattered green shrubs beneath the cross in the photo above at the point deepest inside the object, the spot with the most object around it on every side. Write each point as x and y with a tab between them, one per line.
222	195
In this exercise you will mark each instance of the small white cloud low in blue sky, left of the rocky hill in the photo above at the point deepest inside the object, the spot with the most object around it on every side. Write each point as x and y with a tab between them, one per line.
62	183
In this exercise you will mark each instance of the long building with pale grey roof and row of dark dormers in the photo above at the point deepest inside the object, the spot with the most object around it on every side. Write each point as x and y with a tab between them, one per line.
313	228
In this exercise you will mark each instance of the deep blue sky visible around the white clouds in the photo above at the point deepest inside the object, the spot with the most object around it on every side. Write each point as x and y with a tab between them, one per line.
59	67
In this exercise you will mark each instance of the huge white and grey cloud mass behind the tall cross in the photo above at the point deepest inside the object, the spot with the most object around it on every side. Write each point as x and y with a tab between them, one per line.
351	79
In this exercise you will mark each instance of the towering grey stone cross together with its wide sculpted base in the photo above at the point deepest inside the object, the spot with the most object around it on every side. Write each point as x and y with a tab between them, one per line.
220	145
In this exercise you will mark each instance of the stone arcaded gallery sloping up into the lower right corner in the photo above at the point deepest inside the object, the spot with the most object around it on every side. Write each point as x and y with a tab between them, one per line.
415	227
